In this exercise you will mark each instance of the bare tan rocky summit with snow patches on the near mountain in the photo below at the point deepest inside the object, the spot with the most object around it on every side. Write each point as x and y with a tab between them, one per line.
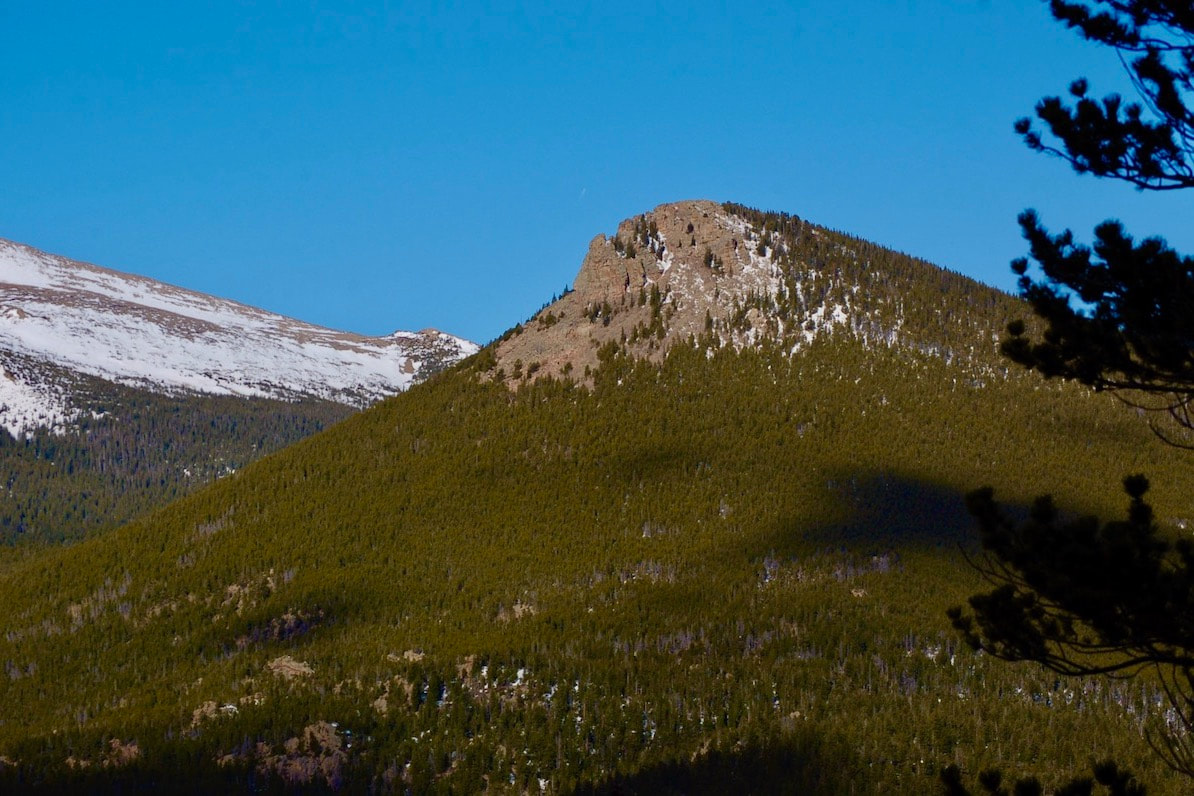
682	271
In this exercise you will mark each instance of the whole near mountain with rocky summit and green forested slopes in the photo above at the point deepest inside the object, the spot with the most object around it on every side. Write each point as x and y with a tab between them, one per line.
691	529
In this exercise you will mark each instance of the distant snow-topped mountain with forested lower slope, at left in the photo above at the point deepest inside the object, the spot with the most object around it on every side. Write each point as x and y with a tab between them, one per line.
120	393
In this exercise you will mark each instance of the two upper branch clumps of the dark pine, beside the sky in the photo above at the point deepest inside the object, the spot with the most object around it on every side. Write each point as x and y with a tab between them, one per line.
1118	314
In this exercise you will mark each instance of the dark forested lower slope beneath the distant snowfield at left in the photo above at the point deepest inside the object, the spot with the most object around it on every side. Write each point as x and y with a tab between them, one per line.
133	452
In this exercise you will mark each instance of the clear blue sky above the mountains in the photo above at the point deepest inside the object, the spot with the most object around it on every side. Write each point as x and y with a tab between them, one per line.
387	165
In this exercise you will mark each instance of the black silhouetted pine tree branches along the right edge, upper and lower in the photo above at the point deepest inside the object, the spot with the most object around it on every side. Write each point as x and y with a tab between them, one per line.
1078	596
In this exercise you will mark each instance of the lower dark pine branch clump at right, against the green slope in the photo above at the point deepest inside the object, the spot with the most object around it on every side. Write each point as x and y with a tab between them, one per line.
1087	598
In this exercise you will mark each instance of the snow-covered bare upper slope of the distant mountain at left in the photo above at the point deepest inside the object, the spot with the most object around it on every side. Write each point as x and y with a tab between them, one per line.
134	331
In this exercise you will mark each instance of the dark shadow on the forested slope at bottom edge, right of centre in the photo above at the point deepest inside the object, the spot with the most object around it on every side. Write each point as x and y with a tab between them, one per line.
804	763
